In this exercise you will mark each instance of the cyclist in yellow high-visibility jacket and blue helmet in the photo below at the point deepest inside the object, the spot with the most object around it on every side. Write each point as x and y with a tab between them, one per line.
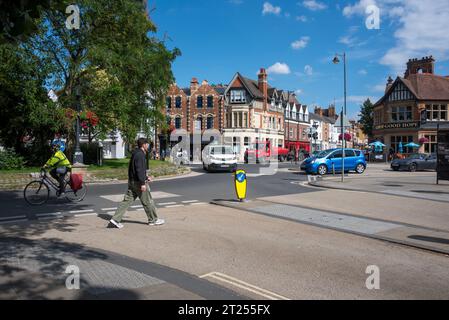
58	164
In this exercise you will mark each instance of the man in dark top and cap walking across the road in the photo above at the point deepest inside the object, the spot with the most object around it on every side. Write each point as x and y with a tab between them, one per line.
137	187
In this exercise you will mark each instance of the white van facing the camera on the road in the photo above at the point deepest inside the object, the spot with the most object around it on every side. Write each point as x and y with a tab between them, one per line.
219	157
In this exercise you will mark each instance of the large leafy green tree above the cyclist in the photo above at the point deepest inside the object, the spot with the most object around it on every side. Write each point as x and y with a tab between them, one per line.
114	66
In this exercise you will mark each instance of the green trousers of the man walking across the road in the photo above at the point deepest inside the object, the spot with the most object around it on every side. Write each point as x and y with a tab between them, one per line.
131	195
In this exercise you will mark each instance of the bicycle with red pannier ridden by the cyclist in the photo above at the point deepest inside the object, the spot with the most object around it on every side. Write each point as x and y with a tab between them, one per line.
37	192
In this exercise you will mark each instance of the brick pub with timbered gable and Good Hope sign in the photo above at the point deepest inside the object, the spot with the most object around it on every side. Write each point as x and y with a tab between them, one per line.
397	115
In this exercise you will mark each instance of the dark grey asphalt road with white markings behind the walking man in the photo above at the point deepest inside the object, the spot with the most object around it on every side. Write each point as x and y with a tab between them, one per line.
195	189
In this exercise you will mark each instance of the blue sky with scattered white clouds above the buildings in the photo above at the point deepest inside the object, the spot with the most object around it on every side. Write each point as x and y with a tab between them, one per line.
296	41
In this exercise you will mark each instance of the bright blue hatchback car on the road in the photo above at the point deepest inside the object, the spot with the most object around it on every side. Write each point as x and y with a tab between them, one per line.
329	161
